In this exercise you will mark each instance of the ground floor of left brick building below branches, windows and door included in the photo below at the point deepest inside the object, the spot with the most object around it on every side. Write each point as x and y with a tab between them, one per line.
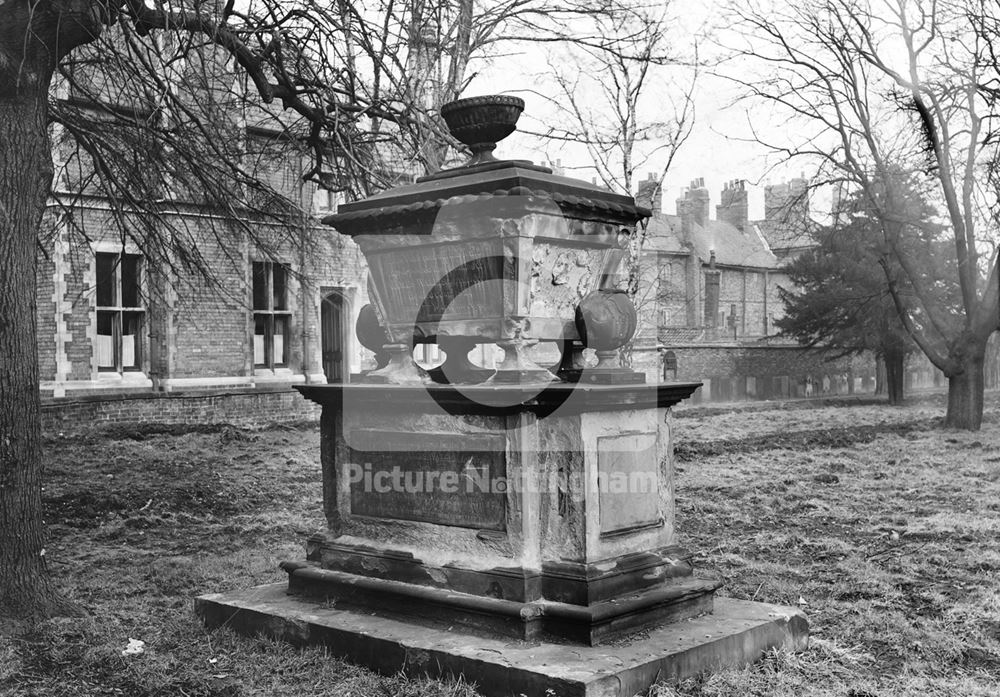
109	325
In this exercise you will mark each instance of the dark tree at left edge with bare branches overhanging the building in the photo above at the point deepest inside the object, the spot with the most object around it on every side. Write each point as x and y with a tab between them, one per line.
148	107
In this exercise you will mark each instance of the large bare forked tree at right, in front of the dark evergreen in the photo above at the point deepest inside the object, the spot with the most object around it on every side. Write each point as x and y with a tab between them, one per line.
890	97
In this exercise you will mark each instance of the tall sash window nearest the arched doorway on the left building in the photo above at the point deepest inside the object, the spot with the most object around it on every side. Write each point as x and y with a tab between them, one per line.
270	314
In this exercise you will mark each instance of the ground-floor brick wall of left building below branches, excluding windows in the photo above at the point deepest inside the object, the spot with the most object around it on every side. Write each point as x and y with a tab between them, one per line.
197	333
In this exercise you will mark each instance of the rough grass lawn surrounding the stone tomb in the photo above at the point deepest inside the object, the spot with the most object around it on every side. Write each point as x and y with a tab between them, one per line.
883	526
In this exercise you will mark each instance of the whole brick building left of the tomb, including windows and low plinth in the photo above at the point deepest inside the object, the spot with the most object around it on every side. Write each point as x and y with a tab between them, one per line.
123	336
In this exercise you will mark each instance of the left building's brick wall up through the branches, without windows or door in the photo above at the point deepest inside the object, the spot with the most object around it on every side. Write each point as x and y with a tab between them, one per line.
197	333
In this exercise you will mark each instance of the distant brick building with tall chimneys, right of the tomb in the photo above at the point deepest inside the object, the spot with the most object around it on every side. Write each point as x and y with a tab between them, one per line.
710	297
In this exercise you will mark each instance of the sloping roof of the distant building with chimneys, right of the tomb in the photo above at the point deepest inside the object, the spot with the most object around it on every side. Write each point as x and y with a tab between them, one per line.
731	247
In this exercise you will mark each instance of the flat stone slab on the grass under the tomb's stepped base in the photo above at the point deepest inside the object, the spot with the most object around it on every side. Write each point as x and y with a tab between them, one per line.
736	633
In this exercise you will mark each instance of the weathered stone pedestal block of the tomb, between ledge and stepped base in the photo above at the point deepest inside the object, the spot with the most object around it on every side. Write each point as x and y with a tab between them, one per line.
589	490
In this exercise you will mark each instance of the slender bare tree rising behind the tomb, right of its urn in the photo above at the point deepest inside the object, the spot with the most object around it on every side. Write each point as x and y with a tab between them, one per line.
626	100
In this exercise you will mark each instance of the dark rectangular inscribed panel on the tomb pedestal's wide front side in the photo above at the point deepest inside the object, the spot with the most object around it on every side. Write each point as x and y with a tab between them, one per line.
443	478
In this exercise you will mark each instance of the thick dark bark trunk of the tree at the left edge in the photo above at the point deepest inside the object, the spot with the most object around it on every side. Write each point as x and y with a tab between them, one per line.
25	178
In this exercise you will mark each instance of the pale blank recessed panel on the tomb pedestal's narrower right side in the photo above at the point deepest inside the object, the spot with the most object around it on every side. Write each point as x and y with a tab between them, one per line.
628	482
